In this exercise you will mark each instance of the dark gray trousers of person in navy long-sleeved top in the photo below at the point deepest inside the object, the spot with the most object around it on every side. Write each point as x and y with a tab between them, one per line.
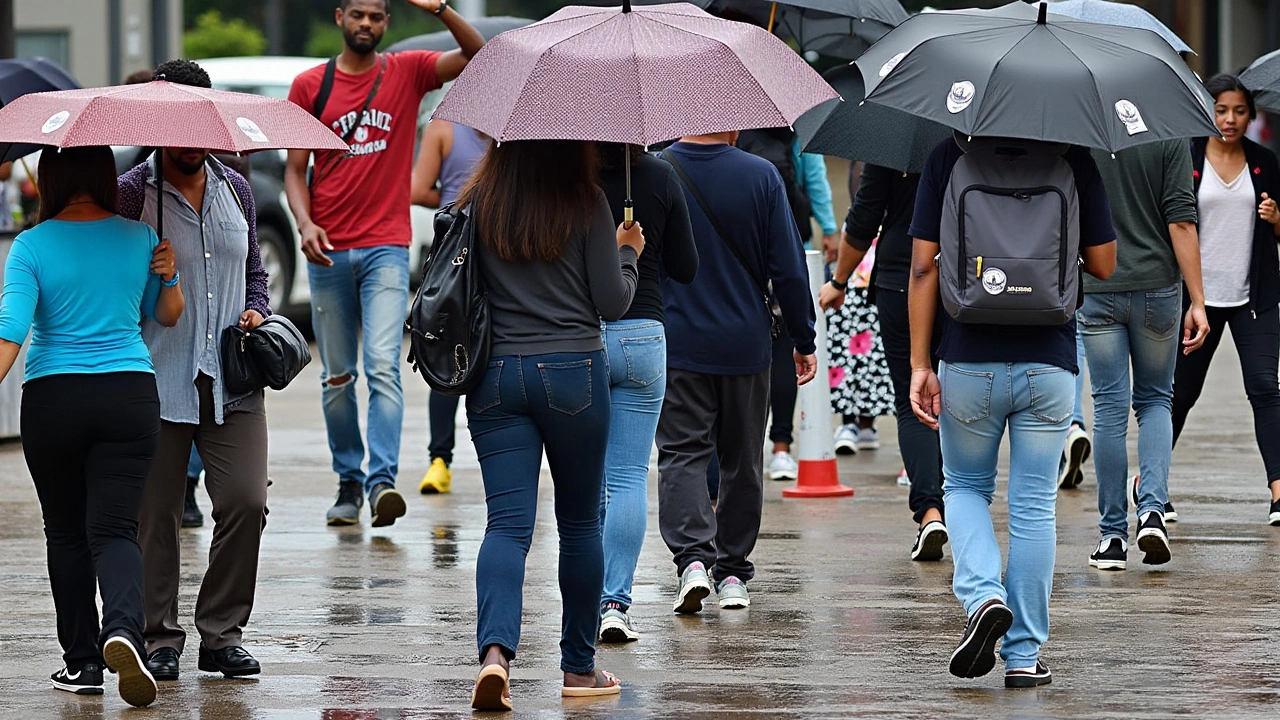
705	414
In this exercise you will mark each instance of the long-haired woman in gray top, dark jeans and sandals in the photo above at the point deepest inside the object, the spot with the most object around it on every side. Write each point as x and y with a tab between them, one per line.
554	266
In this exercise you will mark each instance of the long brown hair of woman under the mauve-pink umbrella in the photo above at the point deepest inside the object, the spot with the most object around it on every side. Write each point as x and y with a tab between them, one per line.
532	197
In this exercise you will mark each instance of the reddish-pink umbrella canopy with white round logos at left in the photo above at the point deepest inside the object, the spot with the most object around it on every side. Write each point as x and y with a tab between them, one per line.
162	115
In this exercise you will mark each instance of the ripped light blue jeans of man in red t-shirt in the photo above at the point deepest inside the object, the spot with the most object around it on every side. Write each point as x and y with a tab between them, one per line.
365	294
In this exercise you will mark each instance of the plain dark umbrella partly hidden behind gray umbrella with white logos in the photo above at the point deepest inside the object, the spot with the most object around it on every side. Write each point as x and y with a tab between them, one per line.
866	131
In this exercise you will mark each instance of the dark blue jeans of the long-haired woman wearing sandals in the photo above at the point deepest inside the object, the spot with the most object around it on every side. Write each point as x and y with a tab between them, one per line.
523	407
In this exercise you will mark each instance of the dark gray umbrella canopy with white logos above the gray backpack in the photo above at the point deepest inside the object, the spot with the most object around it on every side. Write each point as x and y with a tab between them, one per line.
1018	72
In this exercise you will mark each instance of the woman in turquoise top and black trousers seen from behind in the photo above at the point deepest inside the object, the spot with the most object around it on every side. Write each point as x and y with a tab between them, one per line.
80	282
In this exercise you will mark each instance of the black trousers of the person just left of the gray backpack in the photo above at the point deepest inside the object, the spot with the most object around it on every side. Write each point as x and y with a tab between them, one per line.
922	455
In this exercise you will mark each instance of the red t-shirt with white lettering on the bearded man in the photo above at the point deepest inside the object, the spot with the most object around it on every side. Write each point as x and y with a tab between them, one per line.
363	200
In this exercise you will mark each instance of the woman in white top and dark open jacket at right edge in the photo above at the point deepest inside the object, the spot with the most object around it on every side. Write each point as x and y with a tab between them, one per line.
1237	185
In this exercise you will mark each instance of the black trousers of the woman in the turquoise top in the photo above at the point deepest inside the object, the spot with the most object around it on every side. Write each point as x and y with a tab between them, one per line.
89	441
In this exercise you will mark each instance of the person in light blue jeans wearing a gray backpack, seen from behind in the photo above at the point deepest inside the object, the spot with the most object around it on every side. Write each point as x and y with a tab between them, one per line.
1000	233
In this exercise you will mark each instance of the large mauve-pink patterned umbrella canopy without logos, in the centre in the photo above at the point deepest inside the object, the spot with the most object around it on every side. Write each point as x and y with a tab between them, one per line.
641	78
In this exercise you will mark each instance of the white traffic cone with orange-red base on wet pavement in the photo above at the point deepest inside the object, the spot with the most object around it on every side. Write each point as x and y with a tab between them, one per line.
820	476
